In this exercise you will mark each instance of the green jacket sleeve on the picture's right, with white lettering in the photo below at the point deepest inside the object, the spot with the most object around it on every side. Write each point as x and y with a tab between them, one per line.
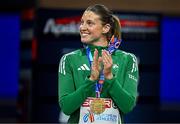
124	94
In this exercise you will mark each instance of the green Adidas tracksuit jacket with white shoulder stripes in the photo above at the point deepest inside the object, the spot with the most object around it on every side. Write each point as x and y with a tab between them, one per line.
74	85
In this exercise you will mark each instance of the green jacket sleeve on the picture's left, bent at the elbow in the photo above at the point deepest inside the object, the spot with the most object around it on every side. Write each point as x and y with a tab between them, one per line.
70	99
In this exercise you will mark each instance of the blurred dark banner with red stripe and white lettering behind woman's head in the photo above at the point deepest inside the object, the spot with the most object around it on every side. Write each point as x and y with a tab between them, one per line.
56	23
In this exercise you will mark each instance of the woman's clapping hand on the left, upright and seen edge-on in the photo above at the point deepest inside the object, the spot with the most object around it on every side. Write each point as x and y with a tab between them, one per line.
95	67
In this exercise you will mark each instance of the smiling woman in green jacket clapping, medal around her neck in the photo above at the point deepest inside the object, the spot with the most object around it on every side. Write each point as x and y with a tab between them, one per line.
97	85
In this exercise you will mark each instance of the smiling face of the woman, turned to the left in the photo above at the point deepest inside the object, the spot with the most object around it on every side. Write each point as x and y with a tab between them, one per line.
91	29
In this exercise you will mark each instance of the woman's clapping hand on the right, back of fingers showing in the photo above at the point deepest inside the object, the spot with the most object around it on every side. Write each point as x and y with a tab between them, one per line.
108	63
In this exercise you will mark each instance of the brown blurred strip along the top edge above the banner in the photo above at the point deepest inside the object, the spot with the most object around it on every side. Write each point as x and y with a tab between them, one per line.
157	6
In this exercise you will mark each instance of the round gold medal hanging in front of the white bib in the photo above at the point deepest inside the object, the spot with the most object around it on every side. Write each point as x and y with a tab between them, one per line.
97	106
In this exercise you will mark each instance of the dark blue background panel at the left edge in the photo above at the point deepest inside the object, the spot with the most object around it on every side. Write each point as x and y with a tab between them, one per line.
9	54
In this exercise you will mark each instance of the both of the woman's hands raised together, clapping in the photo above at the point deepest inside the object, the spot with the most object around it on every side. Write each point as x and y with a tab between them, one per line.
104	61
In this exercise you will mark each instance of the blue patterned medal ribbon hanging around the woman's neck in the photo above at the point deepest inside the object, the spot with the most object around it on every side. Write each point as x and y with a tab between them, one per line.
113	45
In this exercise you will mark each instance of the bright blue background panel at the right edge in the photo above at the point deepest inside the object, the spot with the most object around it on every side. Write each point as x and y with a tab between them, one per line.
170	61
